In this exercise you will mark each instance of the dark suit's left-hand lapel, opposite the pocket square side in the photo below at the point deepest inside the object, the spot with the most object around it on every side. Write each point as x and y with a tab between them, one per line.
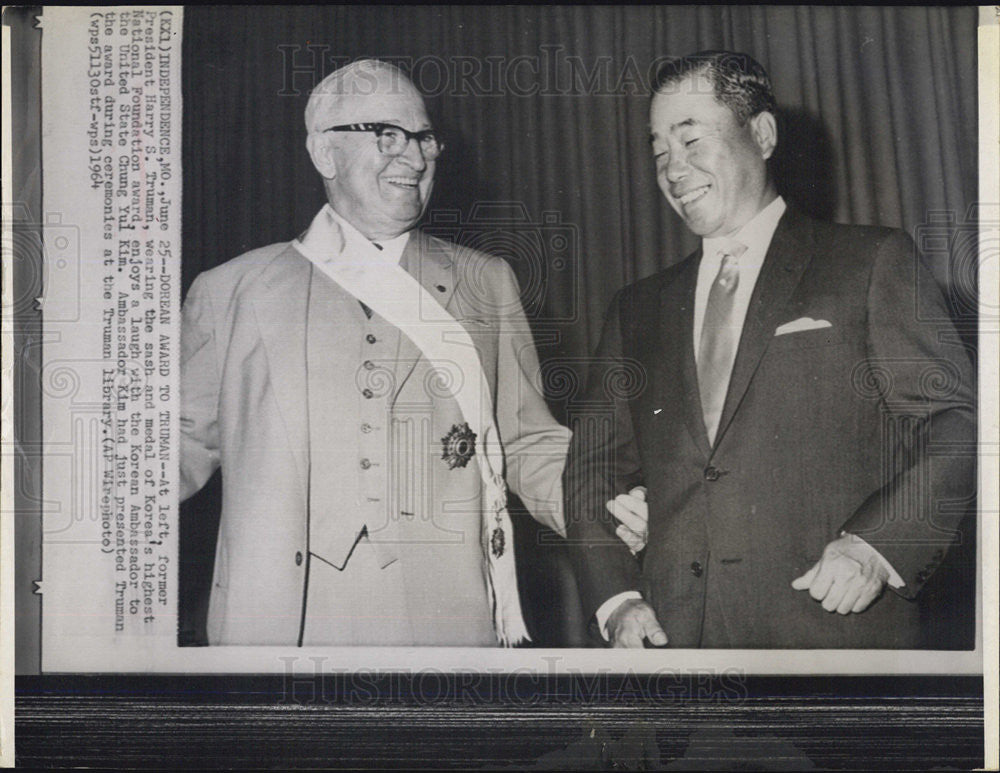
679	376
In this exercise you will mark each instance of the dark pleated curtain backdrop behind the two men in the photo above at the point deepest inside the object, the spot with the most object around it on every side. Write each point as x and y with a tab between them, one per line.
545	108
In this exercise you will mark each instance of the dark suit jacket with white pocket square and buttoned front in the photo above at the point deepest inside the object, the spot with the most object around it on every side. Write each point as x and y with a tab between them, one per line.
865	425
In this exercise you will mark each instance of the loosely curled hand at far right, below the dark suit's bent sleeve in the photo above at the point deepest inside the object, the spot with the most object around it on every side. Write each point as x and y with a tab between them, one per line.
848	578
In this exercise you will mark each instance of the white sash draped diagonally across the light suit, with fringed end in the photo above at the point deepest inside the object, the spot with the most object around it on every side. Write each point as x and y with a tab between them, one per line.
357	265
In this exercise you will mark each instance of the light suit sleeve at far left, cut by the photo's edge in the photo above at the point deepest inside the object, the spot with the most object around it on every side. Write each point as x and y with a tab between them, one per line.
199	454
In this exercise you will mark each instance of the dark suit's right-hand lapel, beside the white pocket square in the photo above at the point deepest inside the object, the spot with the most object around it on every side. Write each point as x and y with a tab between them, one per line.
787	259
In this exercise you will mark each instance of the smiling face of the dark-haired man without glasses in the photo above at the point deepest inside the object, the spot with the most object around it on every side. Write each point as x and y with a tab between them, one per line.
711	169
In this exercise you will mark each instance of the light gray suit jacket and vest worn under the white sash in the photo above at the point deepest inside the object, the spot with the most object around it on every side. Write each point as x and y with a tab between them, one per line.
362	427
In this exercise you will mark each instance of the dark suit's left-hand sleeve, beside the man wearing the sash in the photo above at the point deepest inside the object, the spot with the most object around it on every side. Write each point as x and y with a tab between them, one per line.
603	461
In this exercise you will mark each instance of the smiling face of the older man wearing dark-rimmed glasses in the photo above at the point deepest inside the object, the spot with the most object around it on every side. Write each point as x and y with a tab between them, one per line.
382	196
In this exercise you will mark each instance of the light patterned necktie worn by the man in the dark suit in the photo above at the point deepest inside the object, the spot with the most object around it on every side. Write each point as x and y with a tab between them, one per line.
720	335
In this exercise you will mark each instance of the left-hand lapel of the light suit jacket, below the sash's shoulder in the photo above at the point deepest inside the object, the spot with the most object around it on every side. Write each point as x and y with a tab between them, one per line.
280	309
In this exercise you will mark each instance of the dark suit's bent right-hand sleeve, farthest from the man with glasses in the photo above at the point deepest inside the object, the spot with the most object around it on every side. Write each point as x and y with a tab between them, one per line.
928	398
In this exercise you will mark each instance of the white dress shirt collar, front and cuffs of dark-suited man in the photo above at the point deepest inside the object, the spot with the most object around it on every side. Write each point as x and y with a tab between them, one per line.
756	236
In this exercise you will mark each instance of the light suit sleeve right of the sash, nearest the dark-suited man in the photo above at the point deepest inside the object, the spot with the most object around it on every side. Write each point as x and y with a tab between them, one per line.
535	444
